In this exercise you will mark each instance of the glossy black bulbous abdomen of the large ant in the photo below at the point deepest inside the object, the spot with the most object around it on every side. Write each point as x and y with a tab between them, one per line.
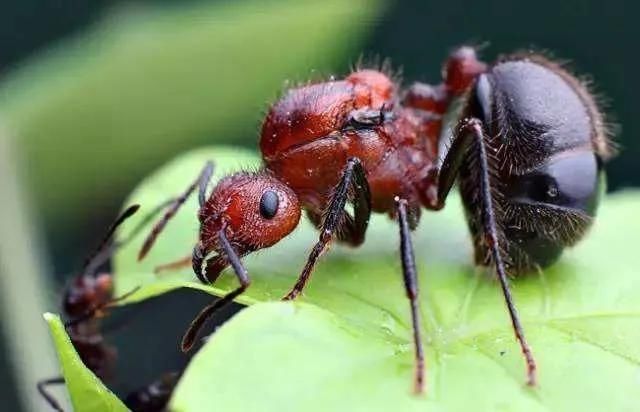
551	148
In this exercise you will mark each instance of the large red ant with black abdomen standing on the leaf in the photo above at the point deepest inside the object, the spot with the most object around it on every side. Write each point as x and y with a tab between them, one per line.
527	151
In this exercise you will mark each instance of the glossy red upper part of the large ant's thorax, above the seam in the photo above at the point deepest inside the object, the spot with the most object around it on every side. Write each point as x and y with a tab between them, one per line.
318	110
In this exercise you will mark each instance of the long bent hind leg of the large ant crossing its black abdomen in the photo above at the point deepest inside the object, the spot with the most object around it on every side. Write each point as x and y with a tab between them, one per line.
471	136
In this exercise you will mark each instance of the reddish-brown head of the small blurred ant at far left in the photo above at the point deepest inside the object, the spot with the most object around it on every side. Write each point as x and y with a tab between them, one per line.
86	293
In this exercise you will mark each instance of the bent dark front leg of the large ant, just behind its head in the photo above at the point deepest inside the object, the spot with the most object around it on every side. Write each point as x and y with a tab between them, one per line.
353	184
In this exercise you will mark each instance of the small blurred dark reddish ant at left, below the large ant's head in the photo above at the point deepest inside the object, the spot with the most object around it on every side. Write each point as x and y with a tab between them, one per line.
85	301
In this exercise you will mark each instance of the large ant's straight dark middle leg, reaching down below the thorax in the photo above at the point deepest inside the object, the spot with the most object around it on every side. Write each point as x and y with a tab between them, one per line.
410	277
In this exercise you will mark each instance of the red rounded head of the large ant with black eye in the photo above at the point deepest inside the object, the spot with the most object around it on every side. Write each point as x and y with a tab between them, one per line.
256	210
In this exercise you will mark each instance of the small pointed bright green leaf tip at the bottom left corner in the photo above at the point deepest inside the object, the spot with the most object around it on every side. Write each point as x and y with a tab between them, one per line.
85	389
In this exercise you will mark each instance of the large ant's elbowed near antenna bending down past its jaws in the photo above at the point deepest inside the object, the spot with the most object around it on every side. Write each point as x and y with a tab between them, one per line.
204	315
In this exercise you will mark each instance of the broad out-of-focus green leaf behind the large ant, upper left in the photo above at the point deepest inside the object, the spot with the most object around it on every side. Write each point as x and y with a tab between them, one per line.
148	82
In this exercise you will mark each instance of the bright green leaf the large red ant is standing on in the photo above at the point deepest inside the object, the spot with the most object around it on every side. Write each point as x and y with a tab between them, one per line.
349	347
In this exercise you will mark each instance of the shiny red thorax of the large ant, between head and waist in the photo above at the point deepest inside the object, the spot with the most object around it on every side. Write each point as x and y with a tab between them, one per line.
309	134
